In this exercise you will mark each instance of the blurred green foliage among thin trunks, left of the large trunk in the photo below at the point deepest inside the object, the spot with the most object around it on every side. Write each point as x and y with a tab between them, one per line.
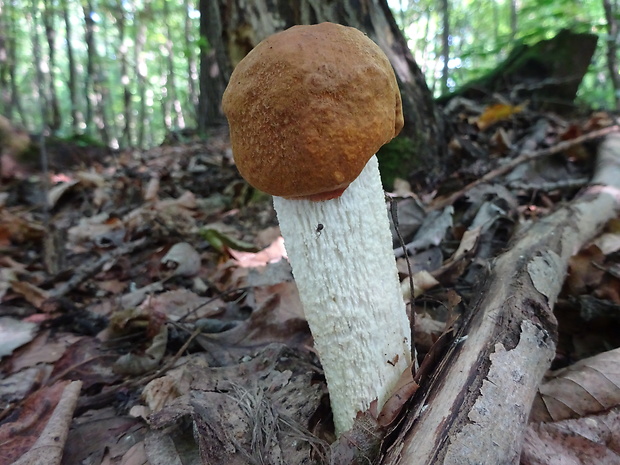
160	21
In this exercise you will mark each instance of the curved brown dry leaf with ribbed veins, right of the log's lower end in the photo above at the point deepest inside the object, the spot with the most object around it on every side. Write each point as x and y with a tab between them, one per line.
590	386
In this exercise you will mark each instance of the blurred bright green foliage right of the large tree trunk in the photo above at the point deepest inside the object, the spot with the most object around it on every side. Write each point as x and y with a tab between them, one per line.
481	37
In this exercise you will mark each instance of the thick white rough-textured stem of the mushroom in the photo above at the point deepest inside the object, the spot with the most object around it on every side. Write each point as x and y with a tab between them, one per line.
348	285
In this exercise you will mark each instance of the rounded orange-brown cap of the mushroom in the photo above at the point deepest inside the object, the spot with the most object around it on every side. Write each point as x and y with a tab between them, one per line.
308	107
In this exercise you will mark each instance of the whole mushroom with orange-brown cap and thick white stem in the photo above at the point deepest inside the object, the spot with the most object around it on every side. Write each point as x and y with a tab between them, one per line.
308	108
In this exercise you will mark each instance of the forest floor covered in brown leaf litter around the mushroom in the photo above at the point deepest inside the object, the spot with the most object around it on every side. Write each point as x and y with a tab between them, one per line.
149	315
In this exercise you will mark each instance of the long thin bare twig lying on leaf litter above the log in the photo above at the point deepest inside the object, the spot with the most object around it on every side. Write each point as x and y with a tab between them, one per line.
523	158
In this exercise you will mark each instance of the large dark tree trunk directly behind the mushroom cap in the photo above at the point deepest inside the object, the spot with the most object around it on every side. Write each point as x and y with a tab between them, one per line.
243	28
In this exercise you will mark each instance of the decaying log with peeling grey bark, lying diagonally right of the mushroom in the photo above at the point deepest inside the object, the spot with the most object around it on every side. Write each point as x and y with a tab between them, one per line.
474	410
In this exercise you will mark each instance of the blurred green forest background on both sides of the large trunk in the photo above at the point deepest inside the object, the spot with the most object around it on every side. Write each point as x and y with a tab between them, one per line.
127	73
